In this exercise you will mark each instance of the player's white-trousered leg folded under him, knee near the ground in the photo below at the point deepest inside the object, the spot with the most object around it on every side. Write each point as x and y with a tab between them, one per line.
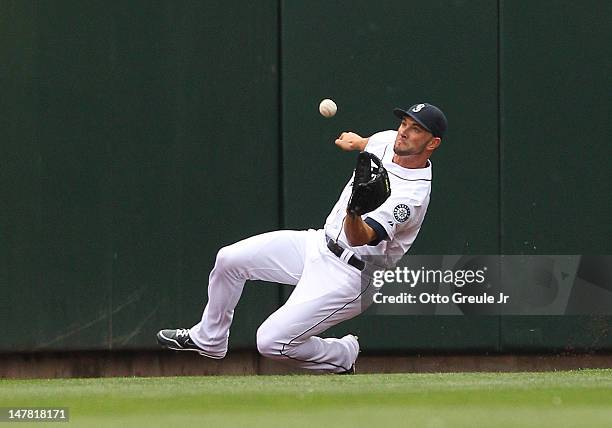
328	293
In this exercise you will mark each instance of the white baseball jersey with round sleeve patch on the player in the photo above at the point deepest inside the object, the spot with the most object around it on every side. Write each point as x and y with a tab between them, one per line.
400	216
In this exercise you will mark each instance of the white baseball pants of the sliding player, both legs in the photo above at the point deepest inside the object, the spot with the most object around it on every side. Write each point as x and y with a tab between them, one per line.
327	291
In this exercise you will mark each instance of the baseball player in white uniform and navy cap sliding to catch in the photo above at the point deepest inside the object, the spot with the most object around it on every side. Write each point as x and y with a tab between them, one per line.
379	213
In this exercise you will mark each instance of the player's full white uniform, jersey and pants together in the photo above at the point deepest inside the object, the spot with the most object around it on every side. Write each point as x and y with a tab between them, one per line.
327	289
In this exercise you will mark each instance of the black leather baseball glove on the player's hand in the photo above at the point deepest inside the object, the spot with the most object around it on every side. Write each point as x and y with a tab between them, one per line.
371	186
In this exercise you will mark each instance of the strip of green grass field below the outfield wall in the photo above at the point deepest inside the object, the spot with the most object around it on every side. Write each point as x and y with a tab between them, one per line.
556	399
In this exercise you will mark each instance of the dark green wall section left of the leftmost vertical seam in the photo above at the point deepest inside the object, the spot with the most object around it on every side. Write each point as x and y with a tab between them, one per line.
138	137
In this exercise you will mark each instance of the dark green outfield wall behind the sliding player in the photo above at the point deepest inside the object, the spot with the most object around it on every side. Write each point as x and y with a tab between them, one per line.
139	137
